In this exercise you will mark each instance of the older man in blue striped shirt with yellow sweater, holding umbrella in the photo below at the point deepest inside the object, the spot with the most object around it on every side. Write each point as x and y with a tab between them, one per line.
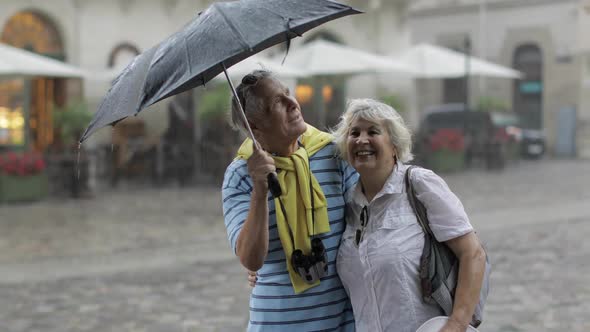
264	232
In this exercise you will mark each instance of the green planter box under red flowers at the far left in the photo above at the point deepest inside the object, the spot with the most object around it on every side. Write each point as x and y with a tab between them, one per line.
22	188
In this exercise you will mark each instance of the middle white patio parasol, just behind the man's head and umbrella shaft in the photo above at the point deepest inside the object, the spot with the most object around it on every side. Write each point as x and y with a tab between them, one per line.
322	57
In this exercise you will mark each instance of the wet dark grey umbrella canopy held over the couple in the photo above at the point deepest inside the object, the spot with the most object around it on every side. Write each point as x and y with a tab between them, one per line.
219	37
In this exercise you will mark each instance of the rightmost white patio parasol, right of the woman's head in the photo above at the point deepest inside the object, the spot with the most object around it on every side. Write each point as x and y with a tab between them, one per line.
430	61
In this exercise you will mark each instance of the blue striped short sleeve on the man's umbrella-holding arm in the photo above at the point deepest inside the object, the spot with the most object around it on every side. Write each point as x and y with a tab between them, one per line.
235	193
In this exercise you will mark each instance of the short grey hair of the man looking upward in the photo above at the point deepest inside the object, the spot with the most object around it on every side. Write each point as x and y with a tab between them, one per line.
251	103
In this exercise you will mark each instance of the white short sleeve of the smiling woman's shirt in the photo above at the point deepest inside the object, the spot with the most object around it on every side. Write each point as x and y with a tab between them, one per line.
447	217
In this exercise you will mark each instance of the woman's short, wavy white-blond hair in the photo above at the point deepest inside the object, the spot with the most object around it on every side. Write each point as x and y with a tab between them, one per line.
380	113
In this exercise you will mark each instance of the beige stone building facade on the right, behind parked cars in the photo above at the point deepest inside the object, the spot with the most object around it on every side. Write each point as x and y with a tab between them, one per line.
542	38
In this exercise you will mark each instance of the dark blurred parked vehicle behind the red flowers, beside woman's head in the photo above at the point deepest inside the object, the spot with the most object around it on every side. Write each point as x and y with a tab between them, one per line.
484	140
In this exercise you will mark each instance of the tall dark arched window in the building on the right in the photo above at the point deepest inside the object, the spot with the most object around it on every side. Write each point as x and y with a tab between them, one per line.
528	93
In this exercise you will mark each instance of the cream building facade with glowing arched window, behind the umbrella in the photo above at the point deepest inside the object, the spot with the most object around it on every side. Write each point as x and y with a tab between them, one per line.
101	35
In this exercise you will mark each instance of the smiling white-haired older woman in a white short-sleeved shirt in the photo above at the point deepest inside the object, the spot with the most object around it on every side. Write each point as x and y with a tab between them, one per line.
378	258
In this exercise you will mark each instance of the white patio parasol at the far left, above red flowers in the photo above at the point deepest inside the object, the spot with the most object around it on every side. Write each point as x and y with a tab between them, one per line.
18	62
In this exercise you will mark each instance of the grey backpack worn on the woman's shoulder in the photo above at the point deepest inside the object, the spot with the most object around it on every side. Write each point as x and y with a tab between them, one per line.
439	265
